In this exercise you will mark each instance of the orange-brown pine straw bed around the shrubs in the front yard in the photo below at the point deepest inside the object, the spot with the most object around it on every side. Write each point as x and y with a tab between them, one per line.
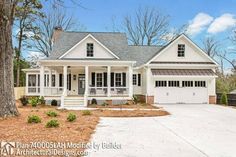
17	129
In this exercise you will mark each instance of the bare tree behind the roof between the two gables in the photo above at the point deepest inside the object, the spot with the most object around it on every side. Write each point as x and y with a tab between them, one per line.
146	27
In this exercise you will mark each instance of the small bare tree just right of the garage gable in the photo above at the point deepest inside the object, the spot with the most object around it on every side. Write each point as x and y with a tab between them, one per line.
210	45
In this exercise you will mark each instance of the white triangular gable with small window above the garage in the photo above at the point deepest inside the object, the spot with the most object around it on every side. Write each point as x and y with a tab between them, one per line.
192	52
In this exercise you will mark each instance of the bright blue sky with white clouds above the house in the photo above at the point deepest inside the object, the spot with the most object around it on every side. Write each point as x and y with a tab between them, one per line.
204	17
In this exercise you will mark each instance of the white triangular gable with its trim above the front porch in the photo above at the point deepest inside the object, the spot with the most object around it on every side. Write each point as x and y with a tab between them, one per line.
79	51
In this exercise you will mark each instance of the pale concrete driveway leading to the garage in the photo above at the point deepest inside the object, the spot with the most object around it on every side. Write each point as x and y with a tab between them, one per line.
190	131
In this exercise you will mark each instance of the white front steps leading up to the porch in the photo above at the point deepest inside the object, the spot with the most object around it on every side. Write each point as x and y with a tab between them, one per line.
74	102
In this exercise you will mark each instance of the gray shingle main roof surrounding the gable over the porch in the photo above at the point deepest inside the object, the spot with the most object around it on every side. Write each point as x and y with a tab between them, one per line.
114	41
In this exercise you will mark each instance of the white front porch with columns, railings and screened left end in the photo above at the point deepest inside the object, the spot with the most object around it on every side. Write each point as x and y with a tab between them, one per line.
82	82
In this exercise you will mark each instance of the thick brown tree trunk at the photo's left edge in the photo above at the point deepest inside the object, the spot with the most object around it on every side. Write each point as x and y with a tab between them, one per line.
7	99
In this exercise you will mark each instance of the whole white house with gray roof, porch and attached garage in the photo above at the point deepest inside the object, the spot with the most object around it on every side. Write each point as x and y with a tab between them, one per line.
103	66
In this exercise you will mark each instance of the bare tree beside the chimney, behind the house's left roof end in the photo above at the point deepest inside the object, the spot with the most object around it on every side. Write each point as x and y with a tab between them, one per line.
42	40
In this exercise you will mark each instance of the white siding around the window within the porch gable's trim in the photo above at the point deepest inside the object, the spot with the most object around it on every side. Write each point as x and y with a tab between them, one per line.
81	50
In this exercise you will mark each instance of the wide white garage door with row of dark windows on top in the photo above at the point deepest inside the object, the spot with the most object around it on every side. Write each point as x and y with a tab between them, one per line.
181	92
